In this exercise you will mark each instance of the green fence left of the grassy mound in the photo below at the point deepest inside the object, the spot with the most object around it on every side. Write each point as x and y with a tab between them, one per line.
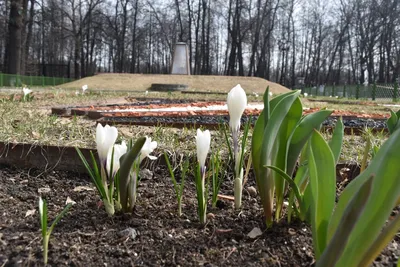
12	80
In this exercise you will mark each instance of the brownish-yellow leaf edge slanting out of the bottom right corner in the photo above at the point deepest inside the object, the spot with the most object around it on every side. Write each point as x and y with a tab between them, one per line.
381	242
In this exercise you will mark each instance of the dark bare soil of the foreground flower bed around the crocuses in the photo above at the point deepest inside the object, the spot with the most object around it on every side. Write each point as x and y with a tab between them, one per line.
86	236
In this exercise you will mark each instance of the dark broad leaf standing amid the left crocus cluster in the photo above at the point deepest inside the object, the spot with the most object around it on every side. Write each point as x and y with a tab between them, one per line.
126	163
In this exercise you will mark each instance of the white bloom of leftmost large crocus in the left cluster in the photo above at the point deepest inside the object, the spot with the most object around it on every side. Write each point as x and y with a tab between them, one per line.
105	139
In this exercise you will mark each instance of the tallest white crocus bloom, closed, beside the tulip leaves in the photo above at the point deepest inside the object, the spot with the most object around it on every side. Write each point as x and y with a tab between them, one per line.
237	102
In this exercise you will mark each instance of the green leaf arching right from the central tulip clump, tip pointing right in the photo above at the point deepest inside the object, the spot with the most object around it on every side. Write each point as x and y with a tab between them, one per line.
301	134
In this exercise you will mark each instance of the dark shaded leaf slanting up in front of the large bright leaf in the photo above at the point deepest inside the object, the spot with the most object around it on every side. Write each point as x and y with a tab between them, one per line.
351	215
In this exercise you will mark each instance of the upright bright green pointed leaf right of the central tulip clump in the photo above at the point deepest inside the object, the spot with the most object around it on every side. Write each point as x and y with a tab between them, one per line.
323	189
